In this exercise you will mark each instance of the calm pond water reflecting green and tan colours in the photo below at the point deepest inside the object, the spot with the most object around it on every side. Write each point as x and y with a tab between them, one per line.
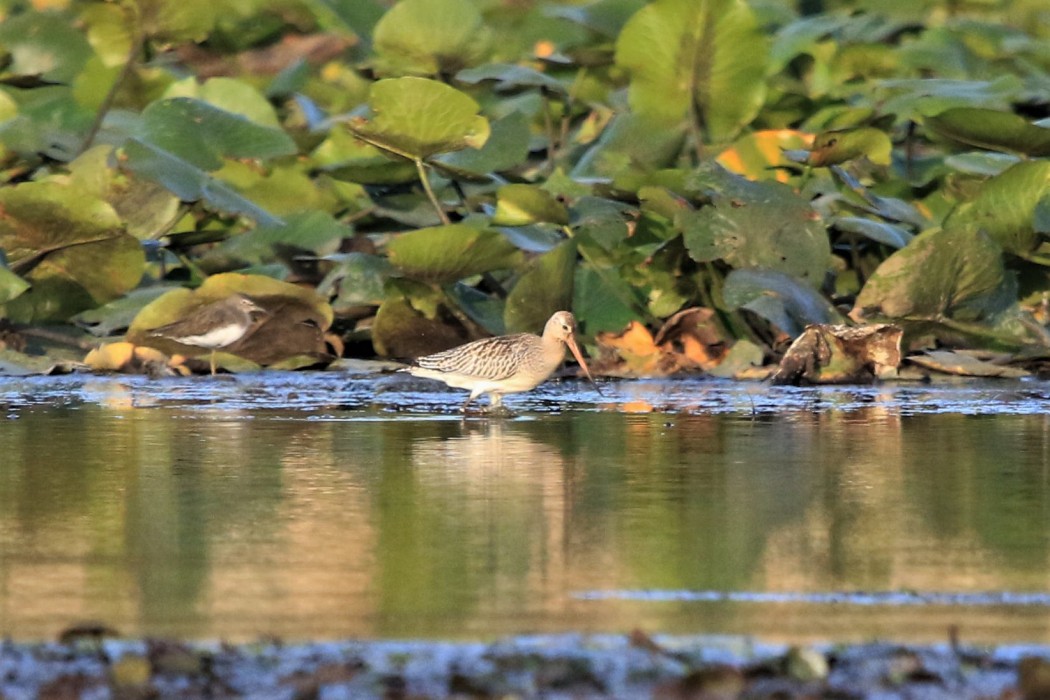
317	506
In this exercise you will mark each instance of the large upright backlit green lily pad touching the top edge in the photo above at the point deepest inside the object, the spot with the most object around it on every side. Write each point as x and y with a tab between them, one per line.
708	55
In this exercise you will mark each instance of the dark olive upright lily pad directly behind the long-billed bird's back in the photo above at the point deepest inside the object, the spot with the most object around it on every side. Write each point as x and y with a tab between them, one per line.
544	288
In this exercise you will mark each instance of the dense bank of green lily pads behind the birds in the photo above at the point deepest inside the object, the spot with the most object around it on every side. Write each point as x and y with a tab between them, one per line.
443	169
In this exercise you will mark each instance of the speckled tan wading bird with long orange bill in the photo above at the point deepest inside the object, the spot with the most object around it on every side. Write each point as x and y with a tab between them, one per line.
505	365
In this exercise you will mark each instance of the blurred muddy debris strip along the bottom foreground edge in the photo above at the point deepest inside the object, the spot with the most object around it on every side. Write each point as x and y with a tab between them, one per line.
533	667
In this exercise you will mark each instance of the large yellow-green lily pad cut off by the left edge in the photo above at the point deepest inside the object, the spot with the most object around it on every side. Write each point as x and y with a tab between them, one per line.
70	246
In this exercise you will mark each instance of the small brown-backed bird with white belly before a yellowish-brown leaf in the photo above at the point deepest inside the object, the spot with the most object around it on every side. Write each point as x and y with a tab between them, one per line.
215	326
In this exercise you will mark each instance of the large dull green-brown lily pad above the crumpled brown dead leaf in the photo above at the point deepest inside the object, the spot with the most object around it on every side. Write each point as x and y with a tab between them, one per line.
956	273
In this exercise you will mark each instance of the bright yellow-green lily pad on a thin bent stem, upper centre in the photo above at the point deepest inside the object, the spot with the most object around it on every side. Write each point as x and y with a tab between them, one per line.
416	118
